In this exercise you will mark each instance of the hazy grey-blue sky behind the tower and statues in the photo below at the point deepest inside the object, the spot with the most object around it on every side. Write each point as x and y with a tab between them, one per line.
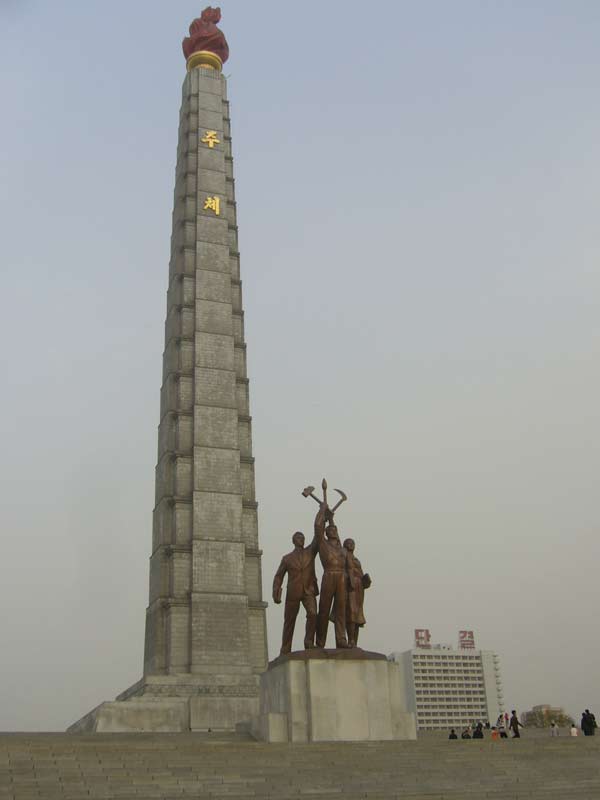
417	187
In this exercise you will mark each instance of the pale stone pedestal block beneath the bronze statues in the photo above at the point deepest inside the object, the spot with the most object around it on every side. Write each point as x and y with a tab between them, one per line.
332	696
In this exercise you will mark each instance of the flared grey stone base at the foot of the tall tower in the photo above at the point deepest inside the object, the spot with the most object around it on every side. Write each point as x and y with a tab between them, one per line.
175	704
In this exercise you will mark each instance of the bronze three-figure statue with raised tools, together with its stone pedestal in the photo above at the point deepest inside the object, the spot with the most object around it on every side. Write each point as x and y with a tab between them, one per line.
341	694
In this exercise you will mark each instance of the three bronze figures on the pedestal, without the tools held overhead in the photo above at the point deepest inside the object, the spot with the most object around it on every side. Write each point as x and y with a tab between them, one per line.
342	586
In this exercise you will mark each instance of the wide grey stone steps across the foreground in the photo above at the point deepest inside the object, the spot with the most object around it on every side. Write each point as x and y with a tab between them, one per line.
169	766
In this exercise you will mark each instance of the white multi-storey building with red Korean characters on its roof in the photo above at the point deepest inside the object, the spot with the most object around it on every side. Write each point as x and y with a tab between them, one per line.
450	688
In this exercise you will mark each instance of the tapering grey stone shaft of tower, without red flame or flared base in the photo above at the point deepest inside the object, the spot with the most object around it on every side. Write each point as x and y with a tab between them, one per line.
204	463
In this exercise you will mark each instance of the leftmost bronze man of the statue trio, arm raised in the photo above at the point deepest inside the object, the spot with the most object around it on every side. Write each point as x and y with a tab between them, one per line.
302	587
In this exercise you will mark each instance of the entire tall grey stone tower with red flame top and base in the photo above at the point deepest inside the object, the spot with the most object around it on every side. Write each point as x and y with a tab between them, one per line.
205	623
